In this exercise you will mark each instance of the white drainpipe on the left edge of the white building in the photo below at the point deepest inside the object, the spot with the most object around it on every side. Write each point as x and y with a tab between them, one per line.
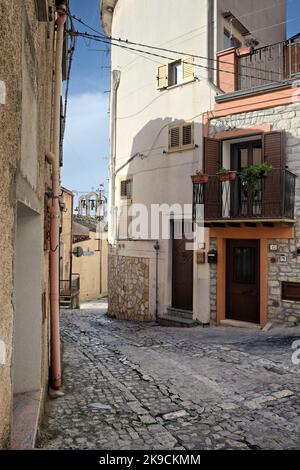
116	76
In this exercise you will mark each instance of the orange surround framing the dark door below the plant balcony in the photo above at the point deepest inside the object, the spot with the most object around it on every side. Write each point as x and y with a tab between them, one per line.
264	234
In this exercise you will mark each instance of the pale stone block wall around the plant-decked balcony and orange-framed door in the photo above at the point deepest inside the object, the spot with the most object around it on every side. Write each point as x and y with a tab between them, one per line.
285	118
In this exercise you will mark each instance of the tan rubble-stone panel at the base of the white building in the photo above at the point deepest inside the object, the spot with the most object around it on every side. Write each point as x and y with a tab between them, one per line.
128	288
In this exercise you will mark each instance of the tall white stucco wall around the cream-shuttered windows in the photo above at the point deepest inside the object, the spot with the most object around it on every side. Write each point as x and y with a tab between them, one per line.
144	112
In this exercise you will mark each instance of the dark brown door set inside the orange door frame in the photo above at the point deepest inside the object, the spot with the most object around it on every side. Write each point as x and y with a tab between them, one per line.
243	280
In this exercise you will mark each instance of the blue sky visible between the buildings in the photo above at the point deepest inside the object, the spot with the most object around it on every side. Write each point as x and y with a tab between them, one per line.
86	138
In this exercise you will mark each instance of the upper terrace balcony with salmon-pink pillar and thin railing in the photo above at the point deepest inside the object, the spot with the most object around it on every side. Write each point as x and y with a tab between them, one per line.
244	68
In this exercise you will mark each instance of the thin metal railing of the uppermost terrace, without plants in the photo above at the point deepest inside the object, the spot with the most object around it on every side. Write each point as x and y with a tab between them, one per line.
269	64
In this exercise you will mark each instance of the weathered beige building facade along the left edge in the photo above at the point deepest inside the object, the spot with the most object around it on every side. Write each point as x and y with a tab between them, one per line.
26	79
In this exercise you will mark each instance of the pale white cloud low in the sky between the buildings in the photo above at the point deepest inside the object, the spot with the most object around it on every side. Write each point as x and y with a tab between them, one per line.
86	141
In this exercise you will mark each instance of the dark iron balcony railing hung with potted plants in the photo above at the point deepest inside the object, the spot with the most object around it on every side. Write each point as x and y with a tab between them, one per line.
273	198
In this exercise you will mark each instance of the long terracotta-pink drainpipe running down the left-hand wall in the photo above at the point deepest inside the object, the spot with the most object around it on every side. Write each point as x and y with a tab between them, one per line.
55	209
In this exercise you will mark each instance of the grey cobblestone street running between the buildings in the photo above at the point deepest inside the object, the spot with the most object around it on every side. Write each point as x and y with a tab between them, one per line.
141	386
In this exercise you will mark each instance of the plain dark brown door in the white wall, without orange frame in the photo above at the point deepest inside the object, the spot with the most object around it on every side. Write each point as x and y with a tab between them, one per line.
182	274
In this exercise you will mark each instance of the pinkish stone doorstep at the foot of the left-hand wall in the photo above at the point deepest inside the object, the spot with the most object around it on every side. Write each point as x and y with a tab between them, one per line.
26	412
